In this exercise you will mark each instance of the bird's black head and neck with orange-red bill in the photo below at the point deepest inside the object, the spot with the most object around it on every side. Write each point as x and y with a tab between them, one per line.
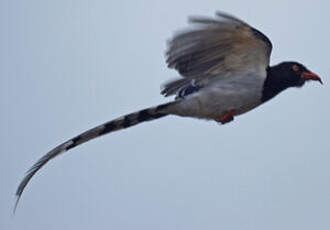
285	75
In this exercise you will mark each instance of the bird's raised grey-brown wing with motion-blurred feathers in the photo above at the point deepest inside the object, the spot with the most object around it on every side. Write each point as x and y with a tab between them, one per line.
216	46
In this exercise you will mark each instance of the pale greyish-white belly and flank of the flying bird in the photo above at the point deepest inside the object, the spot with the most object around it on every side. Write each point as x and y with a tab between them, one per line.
240	94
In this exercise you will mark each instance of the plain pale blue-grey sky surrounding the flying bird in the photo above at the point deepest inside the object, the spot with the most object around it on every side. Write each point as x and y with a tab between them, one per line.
67	66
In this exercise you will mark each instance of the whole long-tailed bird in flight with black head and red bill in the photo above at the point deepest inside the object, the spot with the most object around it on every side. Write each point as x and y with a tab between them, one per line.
224	68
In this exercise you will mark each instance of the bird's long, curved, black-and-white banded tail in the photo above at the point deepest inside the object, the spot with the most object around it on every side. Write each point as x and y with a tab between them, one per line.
108	127
